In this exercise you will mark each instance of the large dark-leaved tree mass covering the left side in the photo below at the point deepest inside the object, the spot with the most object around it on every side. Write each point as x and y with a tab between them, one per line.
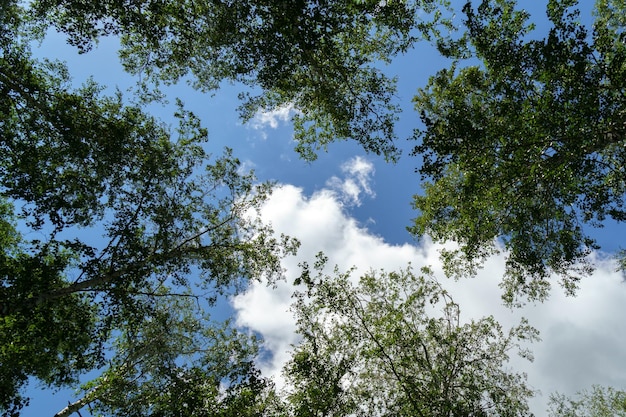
76	164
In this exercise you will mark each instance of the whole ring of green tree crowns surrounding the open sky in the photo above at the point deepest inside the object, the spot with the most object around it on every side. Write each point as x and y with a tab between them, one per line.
120	232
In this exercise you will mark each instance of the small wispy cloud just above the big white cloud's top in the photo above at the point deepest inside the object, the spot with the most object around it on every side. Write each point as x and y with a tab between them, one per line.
357	177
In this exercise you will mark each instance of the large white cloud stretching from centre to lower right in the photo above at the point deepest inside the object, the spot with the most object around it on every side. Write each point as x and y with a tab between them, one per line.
583	336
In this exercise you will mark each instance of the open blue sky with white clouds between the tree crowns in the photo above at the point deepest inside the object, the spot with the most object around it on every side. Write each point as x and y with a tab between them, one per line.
355	207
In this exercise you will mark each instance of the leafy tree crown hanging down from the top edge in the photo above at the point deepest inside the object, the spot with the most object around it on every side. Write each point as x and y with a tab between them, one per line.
319	56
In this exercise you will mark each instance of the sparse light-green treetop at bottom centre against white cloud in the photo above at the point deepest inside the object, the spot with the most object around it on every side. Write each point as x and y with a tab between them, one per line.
394	344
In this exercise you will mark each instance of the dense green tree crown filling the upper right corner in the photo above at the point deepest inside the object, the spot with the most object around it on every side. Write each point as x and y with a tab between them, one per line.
526	149
